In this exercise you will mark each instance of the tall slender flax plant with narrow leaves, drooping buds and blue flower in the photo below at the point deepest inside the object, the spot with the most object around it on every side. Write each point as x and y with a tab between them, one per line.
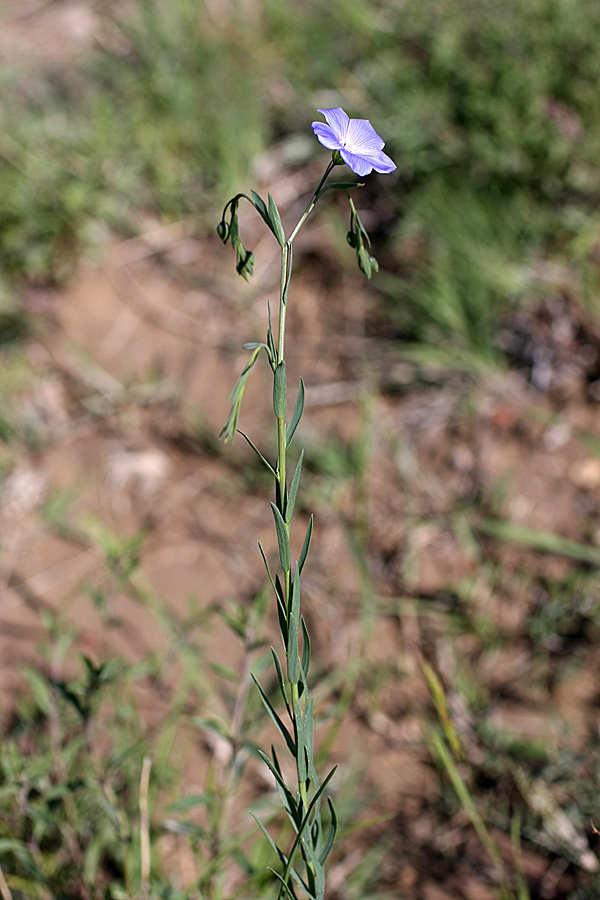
354	142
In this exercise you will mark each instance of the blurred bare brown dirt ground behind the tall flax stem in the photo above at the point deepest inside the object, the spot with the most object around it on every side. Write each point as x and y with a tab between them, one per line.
131	369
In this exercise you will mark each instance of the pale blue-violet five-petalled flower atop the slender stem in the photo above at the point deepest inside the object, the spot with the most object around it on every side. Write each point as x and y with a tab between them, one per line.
356	140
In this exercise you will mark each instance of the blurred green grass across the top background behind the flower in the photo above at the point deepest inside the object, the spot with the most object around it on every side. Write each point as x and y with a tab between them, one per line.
489	109
